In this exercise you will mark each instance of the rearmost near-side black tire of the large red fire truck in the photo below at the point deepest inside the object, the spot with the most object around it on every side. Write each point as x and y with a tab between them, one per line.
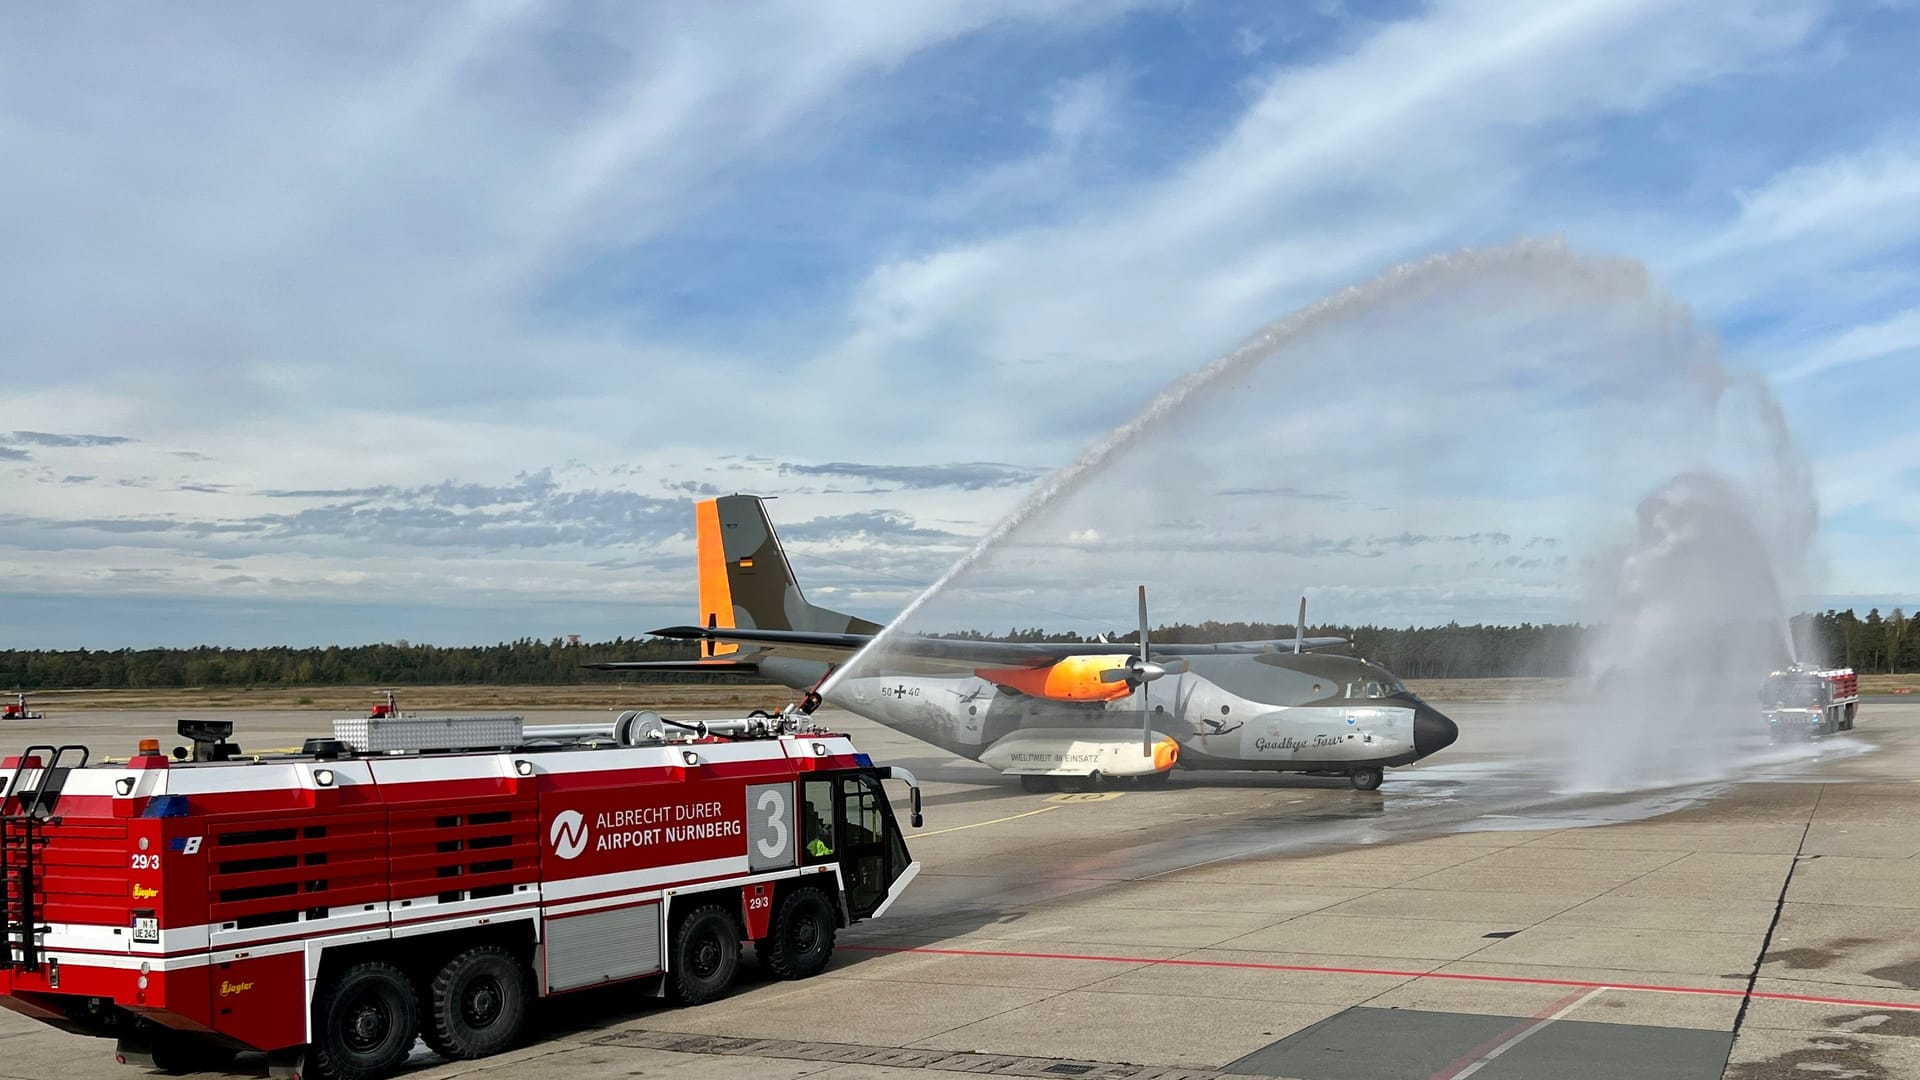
366	1023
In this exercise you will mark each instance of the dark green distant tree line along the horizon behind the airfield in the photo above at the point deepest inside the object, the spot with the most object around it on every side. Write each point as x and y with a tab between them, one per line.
1871	645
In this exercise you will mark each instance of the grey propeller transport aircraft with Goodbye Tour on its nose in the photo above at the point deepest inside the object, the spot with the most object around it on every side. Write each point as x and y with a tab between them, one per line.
1055	714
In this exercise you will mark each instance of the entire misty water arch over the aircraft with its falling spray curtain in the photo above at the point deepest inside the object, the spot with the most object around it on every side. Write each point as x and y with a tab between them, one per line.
1518	380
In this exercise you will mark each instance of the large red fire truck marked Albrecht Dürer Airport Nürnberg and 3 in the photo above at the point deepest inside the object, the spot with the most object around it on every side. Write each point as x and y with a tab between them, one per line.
425	877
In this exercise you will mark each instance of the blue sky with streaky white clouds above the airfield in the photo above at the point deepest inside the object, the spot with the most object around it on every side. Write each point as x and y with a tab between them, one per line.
431	322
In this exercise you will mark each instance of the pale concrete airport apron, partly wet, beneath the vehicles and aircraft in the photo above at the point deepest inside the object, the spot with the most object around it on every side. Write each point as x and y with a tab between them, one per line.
1468	920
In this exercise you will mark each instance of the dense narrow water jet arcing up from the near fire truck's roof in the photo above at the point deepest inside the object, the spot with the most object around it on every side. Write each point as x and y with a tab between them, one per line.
1535	258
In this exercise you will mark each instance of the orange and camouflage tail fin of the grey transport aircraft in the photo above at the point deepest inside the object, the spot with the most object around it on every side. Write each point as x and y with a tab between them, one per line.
746	579
